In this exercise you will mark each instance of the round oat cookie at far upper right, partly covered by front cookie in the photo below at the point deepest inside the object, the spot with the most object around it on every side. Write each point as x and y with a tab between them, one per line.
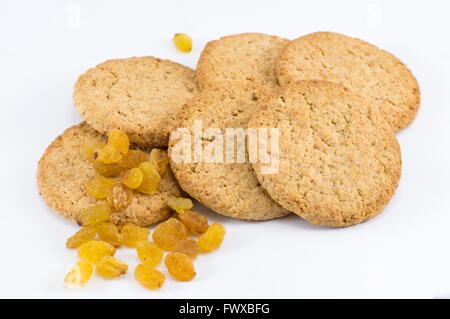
358	65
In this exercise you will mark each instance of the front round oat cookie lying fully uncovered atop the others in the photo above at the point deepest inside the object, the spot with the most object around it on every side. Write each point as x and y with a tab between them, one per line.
340	161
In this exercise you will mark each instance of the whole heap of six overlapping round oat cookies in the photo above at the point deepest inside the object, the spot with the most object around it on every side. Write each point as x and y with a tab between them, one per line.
333	104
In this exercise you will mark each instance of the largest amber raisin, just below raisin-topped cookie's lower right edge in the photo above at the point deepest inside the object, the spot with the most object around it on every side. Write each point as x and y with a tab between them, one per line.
168	233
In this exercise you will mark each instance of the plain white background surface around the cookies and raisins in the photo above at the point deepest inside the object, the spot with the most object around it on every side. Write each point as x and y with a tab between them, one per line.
46	45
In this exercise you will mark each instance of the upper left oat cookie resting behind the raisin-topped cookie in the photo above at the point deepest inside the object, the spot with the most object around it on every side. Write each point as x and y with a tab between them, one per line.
142	96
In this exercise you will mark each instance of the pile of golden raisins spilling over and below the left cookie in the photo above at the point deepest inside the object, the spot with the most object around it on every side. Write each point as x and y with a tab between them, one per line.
98	238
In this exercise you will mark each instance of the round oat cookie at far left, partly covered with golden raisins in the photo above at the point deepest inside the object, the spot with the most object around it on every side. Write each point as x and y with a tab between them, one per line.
63	173
